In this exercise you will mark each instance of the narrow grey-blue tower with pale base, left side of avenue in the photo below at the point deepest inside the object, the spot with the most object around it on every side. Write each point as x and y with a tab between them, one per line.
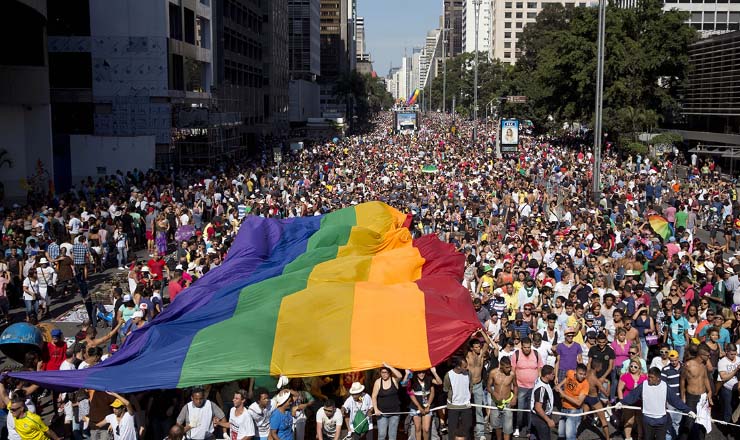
304	53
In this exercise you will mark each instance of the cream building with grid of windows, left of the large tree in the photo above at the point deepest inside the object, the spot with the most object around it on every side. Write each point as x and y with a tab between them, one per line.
509	19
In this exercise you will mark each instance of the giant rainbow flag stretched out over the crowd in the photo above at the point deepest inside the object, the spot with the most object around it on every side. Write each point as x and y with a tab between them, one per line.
306	296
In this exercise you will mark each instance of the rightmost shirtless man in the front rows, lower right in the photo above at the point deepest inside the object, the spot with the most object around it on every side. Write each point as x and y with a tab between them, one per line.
693	383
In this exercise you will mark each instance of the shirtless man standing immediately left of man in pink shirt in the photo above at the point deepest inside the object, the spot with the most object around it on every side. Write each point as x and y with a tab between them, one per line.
503	390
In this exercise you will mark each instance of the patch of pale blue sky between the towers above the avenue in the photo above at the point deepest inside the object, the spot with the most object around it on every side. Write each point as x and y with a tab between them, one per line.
391	25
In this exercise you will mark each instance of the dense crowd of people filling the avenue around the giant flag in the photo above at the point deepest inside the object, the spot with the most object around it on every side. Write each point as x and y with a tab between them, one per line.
582	304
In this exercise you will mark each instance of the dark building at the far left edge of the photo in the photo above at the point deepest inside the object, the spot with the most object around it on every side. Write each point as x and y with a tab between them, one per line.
25	110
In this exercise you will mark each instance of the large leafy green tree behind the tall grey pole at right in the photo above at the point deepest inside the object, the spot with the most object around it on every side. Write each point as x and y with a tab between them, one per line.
646	60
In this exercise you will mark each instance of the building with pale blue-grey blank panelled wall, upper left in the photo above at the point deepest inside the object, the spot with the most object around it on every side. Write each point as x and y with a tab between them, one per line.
132	87
